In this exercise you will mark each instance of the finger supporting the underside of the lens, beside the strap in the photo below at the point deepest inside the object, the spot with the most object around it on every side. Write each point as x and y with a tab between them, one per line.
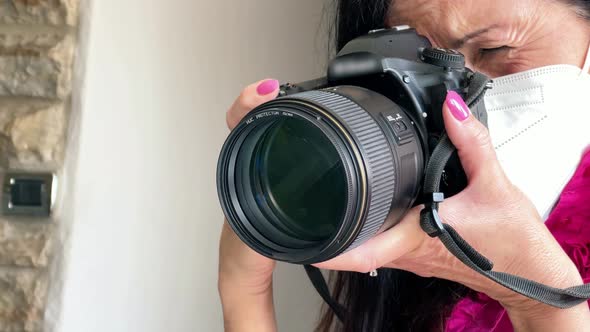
383	248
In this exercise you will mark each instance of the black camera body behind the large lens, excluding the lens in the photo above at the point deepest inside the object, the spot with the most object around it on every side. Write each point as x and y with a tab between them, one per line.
402	66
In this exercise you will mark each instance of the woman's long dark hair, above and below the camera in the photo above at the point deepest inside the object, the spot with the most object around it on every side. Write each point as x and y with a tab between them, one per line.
395	300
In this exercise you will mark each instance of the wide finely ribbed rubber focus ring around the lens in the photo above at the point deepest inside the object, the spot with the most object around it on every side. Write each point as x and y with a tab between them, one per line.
376	154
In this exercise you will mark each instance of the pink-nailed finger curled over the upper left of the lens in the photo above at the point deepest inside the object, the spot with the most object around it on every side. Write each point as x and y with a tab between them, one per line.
252	96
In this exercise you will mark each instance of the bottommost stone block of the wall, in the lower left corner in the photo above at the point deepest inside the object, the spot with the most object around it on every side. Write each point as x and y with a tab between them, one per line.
22	298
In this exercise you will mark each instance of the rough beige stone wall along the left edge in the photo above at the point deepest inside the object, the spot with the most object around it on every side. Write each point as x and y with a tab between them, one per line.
37	43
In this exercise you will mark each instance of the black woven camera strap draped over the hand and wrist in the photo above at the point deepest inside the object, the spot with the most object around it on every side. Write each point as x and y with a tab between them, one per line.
432	224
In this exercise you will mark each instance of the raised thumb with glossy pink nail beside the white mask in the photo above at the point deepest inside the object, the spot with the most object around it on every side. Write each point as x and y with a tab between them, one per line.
470	136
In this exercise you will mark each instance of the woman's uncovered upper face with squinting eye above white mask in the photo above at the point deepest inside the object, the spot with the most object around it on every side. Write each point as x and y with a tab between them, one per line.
500	37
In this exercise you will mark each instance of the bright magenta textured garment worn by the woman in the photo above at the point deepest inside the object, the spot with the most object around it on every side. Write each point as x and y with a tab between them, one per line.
569	222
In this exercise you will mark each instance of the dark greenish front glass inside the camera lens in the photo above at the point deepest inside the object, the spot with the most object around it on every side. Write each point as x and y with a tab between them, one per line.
301	177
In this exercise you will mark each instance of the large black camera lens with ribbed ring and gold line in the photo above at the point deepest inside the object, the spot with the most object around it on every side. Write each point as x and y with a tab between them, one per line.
306	177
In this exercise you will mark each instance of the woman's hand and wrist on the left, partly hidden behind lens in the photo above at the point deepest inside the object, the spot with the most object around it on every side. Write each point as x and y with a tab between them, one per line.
245	277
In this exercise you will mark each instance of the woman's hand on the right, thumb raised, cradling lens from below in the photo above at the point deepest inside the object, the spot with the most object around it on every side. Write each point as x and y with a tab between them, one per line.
495	218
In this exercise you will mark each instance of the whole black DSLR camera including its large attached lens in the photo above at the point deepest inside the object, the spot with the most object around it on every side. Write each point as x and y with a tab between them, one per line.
373	122
